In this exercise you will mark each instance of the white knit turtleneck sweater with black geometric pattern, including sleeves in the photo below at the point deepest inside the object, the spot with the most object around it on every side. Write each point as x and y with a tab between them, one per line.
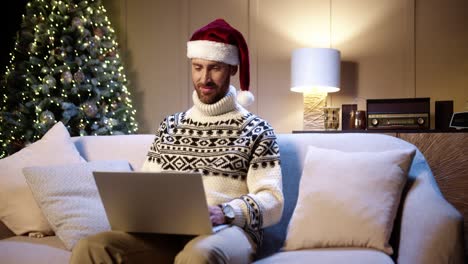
235	151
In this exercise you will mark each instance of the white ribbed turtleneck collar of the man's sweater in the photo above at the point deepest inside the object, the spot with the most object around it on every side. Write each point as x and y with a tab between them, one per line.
225	108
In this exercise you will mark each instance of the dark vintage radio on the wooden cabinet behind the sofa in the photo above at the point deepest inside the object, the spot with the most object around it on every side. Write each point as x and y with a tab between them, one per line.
407	113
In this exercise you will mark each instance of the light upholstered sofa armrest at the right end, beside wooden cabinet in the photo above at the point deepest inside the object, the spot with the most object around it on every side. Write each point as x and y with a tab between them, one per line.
431	229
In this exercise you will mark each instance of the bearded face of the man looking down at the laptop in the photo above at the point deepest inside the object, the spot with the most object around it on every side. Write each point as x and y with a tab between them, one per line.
211	79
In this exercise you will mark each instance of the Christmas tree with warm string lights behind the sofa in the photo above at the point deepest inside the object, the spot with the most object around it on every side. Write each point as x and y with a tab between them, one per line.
65	67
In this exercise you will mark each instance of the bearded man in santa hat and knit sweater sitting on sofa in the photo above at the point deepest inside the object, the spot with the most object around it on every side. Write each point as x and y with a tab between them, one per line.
235	151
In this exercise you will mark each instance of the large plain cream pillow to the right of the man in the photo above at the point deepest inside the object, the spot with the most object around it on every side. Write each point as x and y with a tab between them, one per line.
348	199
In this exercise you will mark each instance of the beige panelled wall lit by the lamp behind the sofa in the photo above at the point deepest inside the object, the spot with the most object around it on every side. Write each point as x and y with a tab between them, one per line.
389	48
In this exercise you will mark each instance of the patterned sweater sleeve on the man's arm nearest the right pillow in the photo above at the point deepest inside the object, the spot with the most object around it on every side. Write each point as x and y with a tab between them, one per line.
263	205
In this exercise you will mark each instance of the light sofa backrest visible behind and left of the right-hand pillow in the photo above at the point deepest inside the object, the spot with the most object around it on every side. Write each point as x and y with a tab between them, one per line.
293	149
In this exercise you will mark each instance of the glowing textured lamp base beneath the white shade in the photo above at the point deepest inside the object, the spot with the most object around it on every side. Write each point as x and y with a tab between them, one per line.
314	102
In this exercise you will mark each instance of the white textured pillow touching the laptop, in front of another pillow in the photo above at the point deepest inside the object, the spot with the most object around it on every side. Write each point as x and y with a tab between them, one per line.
69	198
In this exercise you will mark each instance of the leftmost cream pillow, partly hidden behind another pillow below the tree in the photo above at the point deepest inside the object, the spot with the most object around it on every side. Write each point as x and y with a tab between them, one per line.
18	210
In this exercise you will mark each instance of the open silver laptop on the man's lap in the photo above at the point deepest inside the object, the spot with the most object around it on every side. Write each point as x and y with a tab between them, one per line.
150	202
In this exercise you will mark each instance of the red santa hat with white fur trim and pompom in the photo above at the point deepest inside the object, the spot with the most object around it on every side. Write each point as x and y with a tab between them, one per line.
218	41
